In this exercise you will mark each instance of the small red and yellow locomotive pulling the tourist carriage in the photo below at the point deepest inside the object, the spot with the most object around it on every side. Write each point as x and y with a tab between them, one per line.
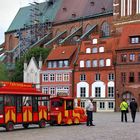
63	111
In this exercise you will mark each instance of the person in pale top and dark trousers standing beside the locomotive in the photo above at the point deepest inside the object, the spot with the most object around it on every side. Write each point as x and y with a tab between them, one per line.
89	111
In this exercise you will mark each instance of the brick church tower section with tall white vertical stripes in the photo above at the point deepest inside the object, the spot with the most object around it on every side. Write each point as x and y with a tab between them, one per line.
126	12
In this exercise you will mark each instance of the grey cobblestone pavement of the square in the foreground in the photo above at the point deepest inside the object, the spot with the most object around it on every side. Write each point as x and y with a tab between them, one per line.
108	127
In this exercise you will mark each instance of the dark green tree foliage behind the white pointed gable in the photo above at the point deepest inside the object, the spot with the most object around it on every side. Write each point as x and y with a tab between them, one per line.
34	52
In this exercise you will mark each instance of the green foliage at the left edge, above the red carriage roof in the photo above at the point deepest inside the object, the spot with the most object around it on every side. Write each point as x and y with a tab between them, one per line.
3	73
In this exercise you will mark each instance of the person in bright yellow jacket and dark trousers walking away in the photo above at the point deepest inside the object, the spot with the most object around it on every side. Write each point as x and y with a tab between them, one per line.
124	108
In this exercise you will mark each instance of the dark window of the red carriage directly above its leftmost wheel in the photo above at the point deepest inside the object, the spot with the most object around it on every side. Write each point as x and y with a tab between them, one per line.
9	100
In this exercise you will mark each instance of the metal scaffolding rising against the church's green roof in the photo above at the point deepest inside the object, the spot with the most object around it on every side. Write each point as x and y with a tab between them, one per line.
31	33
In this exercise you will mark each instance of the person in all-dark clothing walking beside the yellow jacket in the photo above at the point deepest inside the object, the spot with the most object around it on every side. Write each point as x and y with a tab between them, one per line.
133	108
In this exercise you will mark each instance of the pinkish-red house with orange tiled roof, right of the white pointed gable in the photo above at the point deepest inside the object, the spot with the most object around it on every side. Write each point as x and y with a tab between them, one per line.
56	76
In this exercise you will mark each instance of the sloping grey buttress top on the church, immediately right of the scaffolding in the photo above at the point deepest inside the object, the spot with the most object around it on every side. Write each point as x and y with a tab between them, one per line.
44	39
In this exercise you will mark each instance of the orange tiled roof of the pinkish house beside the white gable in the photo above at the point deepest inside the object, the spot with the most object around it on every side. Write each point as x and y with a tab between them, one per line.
61	53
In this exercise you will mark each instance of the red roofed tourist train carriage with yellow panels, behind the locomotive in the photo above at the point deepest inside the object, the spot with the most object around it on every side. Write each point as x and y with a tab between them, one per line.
20	103
